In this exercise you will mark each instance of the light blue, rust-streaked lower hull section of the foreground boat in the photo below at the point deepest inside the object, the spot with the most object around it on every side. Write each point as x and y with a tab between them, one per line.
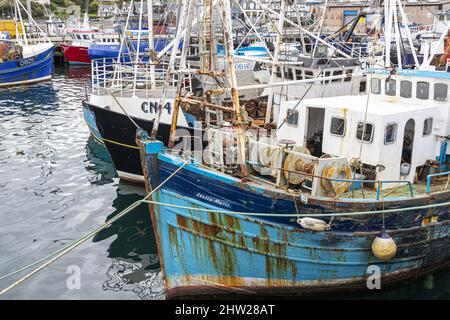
209	253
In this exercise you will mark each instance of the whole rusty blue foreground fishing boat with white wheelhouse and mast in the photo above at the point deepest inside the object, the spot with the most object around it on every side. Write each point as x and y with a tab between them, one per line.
347	193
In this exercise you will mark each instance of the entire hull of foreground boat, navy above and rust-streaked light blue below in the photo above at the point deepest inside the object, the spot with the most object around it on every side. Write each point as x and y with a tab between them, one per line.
205	249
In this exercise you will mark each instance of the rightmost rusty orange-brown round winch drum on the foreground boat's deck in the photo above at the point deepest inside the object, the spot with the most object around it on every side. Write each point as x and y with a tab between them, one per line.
341	172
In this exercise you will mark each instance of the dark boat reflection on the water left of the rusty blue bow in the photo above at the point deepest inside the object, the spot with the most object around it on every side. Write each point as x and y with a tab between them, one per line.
135	263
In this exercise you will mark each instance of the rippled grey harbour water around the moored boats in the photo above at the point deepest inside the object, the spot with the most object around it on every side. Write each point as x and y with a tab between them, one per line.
57	184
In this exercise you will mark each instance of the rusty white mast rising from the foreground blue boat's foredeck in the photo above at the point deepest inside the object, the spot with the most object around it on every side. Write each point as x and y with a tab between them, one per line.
225	9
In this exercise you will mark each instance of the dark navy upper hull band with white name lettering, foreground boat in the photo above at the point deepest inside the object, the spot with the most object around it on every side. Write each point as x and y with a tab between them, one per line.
234	196
